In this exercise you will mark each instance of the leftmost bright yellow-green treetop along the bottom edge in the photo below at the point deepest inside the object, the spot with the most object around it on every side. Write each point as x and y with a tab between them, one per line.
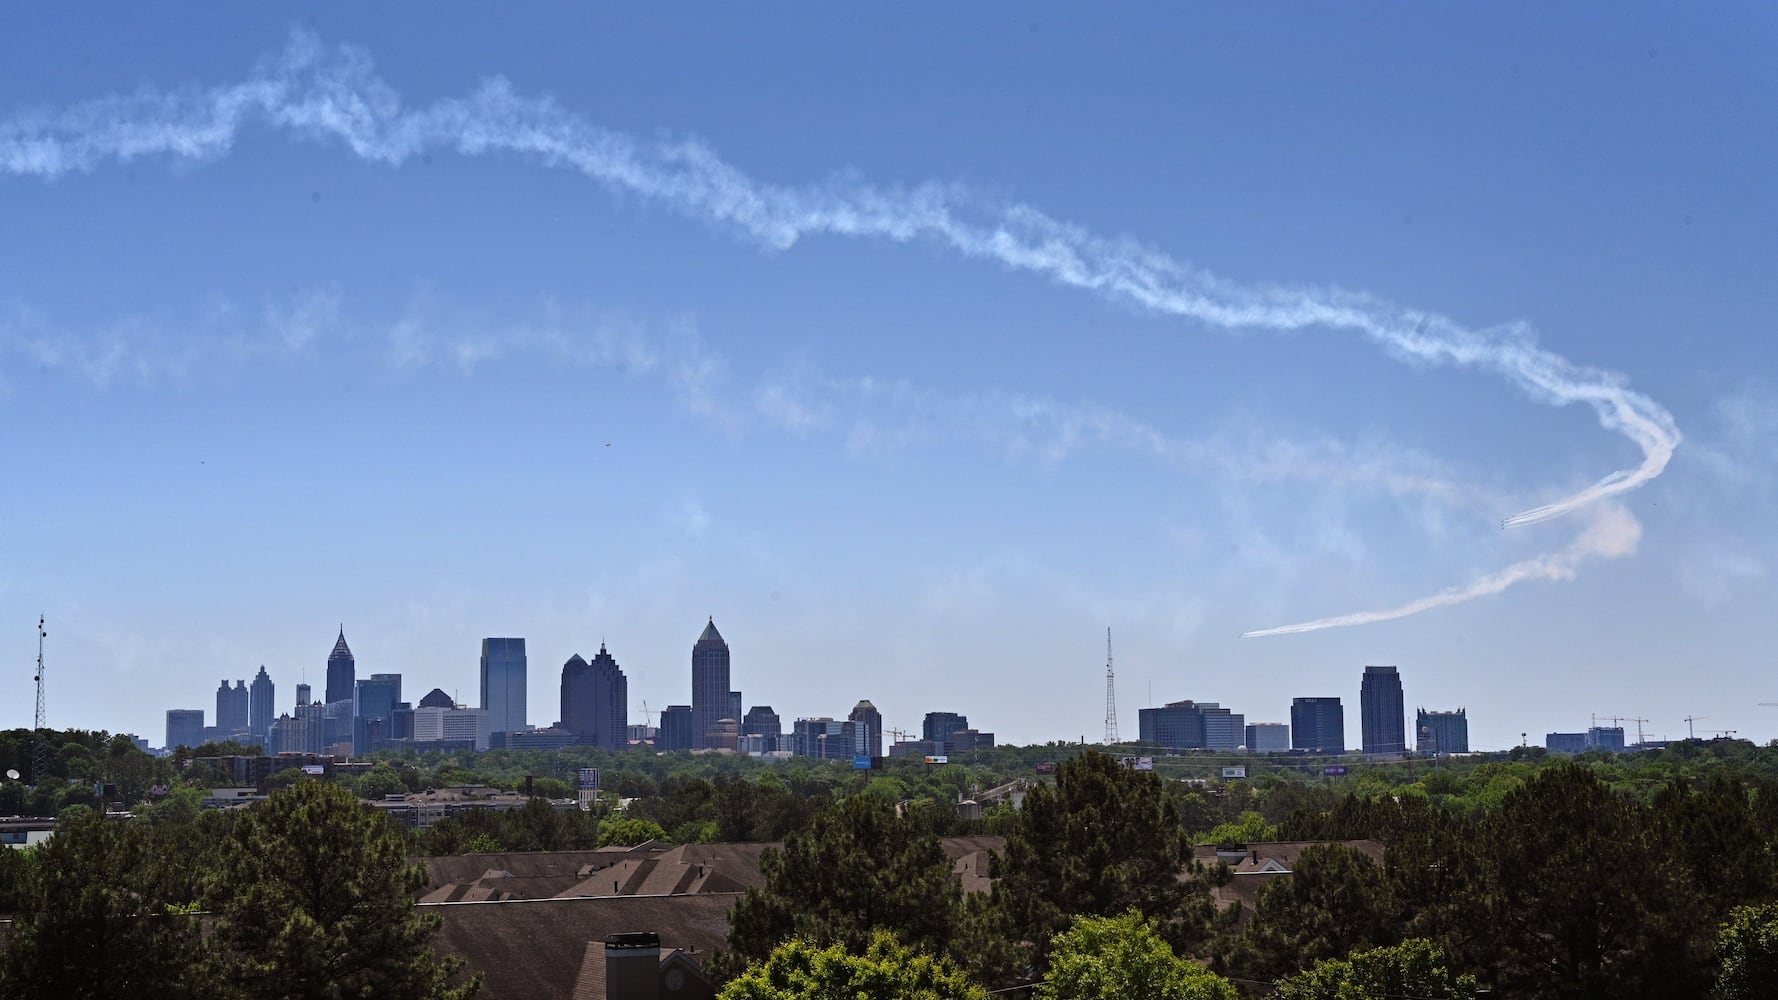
888	971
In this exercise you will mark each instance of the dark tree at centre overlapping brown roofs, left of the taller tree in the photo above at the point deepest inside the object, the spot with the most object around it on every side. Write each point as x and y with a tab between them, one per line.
858	869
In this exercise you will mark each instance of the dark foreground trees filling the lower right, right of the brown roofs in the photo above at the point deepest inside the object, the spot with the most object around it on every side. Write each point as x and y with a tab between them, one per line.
1542	880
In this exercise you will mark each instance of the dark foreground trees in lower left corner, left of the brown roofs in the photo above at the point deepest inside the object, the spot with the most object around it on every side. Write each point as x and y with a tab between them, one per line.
310	894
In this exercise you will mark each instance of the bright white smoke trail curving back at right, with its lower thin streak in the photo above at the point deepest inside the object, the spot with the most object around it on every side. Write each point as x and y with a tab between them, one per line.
333	95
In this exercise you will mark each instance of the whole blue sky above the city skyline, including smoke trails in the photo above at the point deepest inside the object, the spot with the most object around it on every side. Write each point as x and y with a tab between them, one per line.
915	346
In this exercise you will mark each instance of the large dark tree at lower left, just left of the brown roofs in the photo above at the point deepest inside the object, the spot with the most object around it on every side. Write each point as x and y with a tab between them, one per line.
316	899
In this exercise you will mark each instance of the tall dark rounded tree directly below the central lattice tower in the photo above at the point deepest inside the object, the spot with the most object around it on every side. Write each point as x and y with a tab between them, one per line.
1103	841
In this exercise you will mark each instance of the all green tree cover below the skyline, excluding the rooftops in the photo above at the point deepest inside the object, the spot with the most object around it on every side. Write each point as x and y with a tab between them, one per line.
1599	876
